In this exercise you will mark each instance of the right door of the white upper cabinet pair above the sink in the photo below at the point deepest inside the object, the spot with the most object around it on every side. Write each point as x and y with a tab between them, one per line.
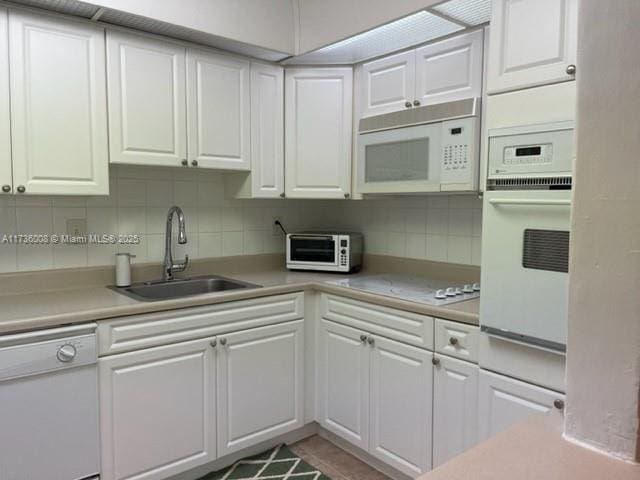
218	111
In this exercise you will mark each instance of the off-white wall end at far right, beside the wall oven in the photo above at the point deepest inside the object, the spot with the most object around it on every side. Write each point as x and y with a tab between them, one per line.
603	356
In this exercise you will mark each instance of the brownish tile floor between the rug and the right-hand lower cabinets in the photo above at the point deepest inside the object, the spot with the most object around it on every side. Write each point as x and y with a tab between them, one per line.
333	461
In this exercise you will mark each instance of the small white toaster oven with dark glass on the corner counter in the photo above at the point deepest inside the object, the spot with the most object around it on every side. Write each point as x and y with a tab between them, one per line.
324	251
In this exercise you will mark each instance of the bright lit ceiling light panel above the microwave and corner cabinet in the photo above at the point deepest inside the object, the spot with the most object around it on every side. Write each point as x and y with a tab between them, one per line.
406	32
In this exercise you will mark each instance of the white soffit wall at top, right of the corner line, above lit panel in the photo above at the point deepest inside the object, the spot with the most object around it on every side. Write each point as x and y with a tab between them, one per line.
327	21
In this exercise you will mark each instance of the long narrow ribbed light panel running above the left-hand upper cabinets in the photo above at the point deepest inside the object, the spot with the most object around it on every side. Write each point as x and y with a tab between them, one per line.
115	17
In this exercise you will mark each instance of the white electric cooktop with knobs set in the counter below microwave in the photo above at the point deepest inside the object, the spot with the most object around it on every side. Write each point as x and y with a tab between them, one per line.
412	288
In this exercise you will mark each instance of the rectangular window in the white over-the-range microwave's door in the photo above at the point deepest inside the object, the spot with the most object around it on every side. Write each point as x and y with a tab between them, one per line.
397	161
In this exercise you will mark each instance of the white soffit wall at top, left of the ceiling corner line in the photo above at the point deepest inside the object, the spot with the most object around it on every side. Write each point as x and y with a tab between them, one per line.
266	23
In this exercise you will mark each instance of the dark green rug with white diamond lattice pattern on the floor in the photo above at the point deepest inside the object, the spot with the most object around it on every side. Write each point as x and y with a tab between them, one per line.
276	464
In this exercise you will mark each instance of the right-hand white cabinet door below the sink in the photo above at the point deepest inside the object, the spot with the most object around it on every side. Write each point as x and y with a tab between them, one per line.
260	385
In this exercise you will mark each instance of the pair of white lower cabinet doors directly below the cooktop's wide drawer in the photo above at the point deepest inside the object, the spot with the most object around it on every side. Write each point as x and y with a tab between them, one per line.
376	393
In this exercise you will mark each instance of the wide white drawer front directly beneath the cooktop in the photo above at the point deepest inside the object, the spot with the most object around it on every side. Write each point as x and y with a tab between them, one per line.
406	327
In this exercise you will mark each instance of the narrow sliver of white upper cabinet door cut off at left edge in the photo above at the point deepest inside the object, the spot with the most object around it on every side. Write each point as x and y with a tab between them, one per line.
6	180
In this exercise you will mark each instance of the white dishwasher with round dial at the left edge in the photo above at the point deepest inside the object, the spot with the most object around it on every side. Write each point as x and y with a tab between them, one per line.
49	405
